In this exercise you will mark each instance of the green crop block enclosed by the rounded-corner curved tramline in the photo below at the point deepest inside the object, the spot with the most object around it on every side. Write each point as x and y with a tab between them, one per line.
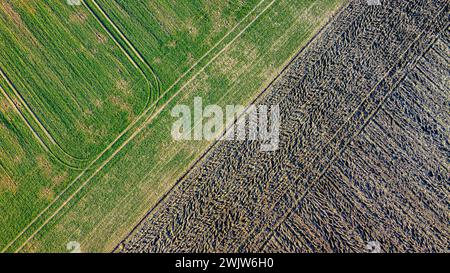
76	81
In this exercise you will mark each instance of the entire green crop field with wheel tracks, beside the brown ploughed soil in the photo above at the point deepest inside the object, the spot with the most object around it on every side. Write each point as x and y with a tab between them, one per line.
86	149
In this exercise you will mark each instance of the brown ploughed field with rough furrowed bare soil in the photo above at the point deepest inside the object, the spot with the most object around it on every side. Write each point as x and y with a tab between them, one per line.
364	152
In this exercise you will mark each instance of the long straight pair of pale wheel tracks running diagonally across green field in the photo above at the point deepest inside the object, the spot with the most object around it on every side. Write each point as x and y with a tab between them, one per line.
147	117
